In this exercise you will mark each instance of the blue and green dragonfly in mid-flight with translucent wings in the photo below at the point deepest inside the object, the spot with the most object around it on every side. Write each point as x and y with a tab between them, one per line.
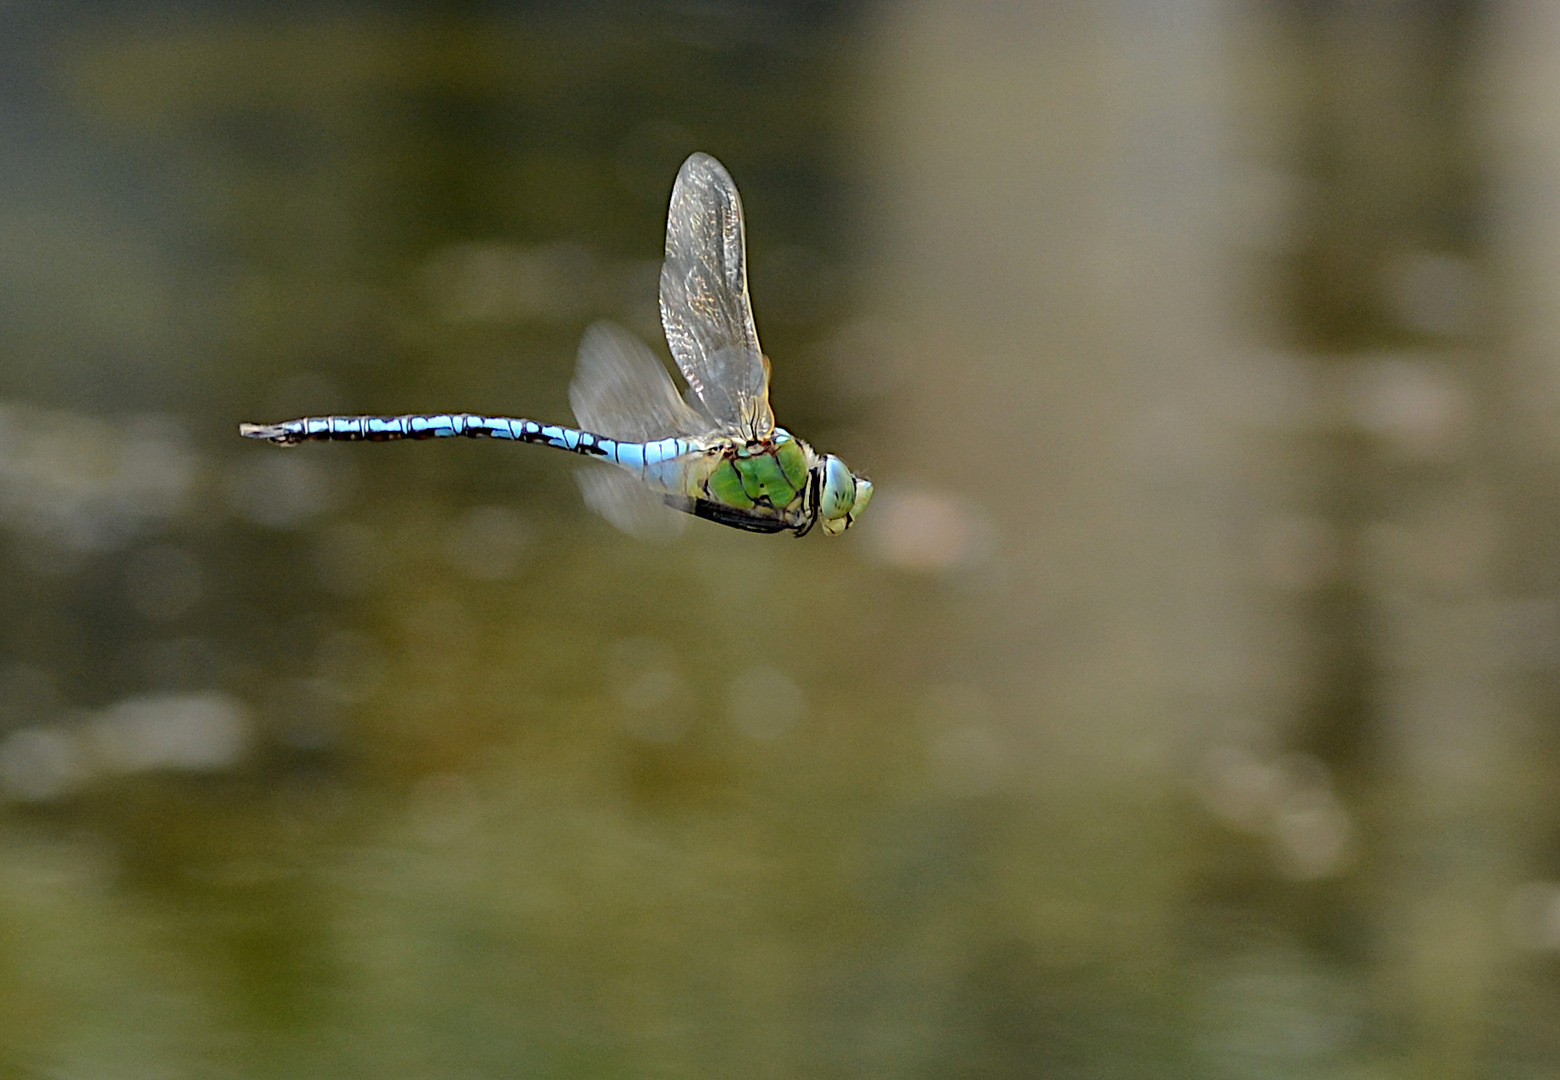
712	452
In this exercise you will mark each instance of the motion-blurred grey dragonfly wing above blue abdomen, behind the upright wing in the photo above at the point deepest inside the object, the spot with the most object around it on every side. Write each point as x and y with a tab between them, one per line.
623	391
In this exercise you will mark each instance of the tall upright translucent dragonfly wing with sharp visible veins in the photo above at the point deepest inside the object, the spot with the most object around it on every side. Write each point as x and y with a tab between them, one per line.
704	300
